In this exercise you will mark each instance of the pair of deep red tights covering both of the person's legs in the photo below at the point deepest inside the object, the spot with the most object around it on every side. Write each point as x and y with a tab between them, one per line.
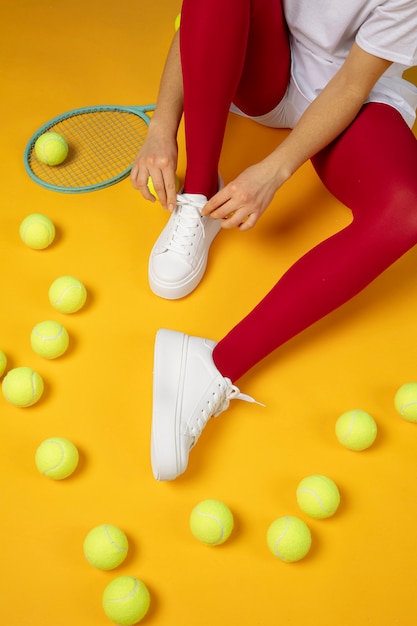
371	168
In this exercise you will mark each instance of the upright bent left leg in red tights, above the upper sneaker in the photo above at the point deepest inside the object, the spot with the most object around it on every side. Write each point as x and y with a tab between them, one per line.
224	48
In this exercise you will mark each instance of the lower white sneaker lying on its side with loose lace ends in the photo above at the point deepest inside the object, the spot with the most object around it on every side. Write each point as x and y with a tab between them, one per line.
188	390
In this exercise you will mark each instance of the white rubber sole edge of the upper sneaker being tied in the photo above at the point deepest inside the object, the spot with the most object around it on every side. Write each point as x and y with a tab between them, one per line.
170	291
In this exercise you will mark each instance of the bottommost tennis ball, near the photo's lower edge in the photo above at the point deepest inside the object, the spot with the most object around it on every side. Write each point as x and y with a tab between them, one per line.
126	600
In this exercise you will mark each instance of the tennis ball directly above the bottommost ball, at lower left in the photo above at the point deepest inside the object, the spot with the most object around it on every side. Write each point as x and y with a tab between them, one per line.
105	547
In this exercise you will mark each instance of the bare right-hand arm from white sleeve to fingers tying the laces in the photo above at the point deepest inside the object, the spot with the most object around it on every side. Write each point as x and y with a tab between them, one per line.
243	200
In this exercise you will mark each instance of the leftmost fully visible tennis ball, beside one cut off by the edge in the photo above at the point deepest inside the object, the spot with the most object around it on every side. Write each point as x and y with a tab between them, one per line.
22	386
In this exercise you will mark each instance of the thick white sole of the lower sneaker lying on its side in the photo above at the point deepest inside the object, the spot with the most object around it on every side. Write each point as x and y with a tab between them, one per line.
165	436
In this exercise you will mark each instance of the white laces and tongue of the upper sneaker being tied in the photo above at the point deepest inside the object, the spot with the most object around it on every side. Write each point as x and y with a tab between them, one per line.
187	221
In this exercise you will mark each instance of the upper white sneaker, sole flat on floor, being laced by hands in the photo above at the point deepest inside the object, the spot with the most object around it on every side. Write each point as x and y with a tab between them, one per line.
178	259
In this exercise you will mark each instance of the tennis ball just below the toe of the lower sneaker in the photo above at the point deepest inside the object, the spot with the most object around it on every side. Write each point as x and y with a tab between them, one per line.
211	522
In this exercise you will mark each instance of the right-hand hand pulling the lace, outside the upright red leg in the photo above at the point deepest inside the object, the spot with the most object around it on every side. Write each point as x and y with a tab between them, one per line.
241	203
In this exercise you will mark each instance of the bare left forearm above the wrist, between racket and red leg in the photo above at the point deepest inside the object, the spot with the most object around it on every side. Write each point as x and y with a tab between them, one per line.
169	107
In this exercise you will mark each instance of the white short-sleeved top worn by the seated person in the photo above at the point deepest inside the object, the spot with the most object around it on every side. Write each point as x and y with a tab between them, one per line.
323	32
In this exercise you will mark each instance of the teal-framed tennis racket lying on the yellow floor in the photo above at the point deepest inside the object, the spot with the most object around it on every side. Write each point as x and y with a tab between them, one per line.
103	143
